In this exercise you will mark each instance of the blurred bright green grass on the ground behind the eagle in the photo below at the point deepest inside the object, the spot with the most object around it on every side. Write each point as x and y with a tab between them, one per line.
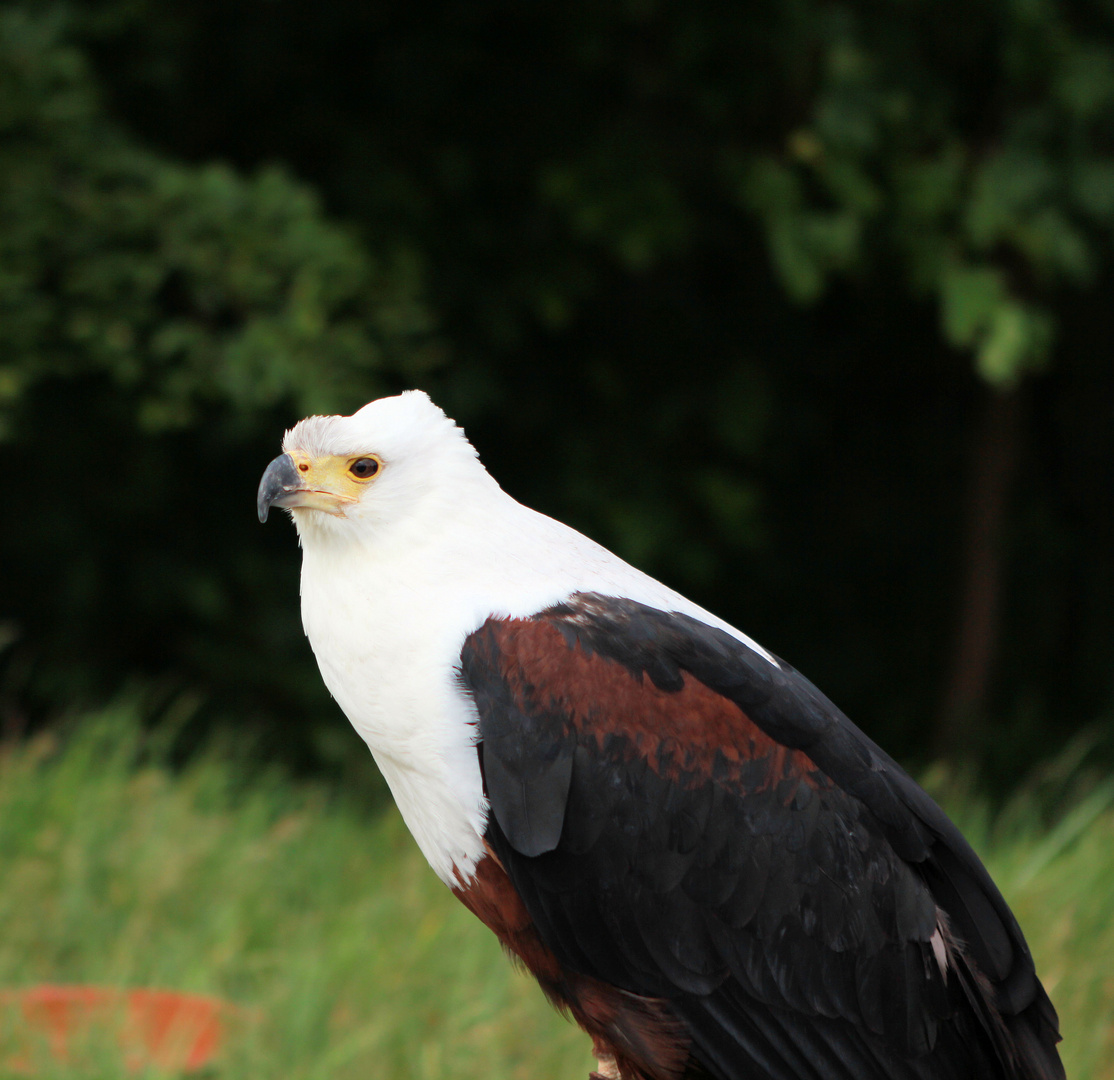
349	958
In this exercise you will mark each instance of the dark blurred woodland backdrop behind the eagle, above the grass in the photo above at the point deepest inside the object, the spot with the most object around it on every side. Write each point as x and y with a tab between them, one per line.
804	307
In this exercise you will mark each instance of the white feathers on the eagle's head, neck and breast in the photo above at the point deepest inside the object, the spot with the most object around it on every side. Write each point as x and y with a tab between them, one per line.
393	586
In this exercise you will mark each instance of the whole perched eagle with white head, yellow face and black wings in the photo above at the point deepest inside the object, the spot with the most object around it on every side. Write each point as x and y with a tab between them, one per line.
691	849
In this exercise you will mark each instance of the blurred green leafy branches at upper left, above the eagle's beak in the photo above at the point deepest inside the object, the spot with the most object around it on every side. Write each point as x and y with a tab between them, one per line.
183	286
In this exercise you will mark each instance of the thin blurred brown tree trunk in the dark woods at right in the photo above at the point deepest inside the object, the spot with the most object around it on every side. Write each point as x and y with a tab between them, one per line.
994	462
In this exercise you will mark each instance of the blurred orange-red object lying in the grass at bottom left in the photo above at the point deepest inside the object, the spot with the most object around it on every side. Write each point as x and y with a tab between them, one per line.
164	1028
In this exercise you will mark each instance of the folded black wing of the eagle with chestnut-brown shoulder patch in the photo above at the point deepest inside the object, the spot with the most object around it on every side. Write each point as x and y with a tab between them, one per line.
691	824
